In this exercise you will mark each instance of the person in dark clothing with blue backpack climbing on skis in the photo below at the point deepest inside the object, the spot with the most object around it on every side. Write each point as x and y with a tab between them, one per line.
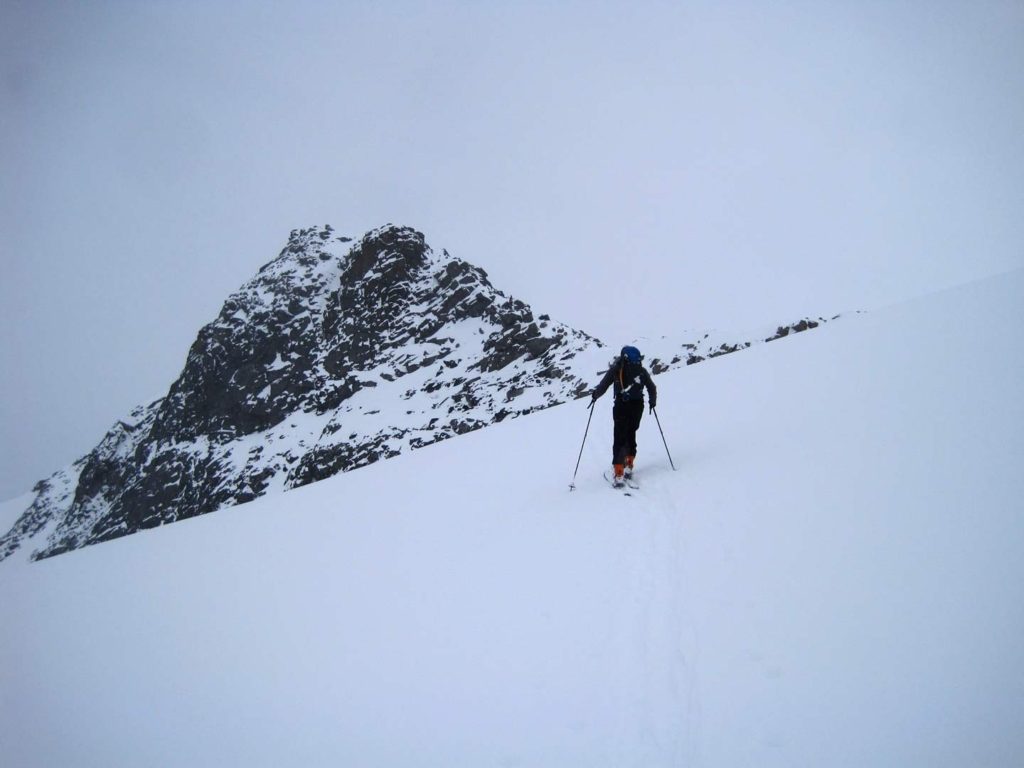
629	378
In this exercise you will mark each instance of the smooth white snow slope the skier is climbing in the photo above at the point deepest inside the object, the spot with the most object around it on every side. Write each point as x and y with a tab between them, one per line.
834	577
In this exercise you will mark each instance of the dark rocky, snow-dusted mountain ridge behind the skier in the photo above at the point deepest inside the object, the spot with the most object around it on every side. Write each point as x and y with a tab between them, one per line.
338	354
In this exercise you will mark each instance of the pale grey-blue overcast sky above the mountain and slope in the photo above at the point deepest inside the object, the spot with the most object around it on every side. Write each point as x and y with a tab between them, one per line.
630	168
